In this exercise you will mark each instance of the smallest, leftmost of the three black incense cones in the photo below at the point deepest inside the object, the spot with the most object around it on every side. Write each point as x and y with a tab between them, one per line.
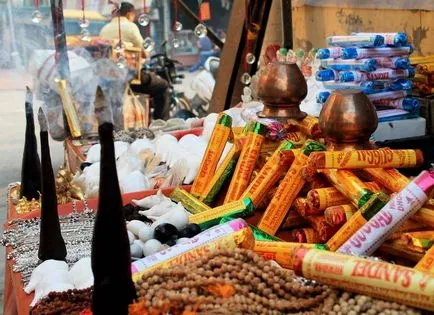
31	167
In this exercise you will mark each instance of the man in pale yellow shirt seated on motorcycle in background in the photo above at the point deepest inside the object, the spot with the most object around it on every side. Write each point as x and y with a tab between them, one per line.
151	84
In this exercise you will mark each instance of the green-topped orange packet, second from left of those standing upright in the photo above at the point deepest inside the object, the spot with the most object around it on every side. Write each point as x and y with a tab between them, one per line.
246	162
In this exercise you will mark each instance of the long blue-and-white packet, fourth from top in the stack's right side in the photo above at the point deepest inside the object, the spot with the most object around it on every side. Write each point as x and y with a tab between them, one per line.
379	74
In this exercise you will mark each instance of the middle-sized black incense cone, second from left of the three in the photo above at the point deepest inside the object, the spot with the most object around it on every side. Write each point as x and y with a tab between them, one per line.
51	243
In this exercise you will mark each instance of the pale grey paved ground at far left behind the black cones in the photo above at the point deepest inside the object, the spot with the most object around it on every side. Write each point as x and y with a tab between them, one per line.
12	127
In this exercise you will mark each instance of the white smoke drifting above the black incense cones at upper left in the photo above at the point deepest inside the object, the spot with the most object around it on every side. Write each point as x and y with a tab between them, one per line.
30	48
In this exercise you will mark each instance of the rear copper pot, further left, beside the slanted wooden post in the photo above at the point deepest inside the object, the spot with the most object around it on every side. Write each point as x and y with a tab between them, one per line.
282	87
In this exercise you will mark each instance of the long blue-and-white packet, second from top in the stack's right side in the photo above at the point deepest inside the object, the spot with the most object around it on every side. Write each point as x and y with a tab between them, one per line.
360	53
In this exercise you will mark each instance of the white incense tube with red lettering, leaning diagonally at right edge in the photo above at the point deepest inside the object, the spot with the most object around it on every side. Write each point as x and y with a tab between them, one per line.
402	206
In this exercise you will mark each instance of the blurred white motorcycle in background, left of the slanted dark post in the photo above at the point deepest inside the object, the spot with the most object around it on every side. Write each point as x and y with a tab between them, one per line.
203	85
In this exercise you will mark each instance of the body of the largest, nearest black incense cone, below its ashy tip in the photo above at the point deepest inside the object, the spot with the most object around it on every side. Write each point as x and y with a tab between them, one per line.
113	287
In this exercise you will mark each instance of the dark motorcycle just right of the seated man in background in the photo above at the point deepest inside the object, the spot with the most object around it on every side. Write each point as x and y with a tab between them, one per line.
165	67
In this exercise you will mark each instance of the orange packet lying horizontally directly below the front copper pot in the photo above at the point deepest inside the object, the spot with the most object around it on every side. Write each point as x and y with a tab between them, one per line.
382	158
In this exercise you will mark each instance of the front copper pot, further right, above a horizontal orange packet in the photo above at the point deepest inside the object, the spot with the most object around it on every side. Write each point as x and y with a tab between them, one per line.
348	120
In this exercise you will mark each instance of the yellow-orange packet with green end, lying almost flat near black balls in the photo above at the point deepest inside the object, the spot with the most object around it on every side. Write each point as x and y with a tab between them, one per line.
241	208
